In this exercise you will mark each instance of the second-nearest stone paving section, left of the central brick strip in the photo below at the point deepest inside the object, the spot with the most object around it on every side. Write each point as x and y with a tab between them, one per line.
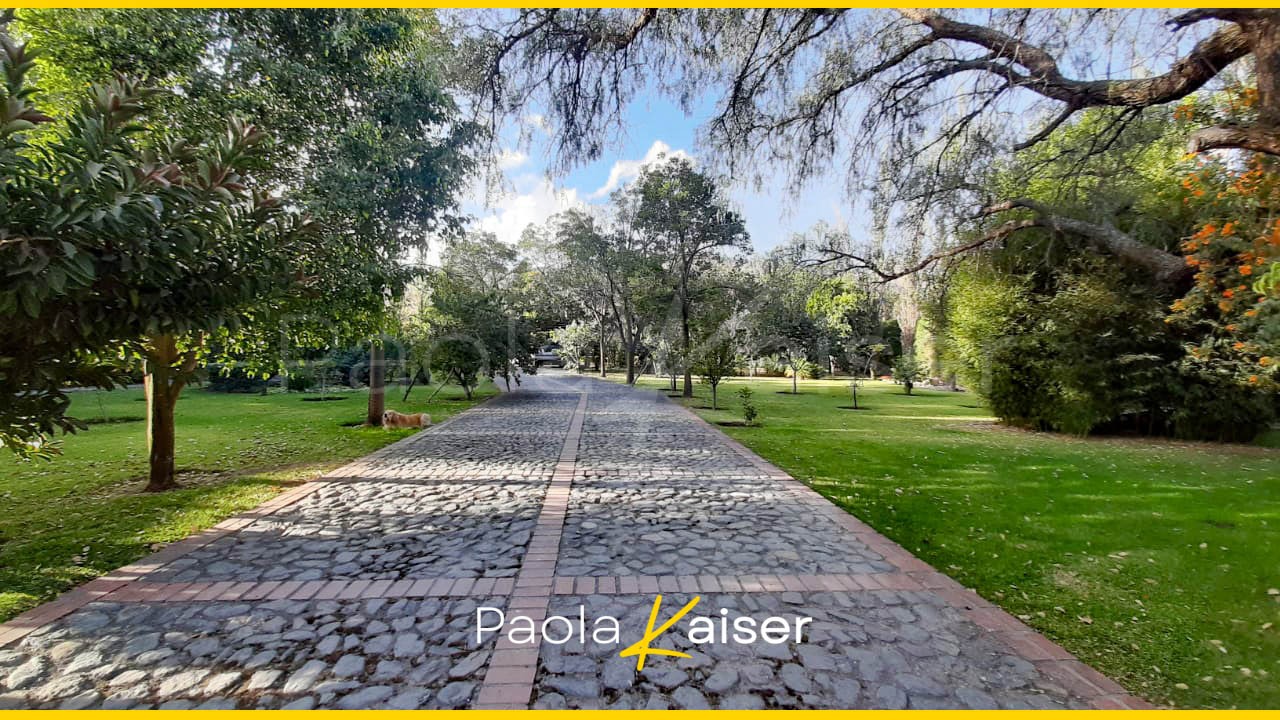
378	531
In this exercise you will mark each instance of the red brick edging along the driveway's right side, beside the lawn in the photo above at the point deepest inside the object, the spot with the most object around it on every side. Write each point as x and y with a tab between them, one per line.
1052	659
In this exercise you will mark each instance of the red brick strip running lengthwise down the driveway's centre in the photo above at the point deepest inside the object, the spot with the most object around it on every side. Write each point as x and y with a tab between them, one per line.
509	681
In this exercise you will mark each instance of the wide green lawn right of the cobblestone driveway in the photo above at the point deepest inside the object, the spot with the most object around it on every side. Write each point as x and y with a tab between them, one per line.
1156	562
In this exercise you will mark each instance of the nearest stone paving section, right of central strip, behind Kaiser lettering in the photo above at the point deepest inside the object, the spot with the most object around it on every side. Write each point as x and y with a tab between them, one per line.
874	650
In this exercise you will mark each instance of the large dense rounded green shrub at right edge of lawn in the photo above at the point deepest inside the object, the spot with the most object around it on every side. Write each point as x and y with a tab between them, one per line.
1090	352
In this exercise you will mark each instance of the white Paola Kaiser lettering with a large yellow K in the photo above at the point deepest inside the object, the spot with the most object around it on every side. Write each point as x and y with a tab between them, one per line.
606	630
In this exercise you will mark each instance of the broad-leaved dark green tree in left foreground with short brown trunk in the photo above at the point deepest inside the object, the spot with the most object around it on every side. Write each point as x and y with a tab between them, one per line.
121	243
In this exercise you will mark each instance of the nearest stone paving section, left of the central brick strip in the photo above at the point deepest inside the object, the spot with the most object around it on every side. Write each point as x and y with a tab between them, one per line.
405	654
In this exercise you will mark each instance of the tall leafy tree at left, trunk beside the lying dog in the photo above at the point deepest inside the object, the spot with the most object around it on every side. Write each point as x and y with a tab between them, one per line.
364	139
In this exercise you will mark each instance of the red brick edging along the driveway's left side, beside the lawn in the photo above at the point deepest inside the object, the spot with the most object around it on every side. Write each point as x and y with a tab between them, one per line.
115	582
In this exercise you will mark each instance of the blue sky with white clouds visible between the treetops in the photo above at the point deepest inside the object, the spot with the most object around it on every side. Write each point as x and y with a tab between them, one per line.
655	125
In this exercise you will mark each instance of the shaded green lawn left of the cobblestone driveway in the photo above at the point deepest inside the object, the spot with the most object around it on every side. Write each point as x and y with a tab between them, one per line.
84	514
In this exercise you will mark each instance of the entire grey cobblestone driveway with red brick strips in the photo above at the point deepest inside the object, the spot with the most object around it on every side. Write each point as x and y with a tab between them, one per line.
360	590
